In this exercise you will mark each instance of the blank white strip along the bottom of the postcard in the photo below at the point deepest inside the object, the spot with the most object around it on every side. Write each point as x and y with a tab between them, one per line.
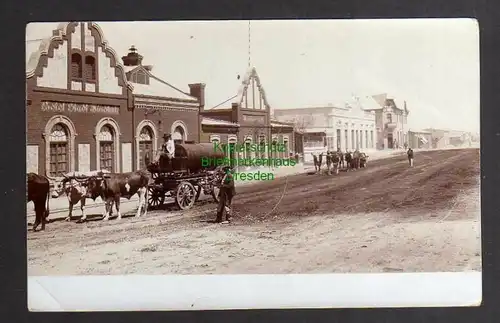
215	292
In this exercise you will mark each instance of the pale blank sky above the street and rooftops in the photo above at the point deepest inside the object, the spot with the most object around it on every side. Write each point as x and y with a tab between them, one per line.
433	64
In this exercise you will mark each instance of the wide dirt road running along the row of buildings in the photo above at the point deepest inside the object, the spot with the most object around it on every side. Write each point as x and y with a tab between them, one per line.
385	218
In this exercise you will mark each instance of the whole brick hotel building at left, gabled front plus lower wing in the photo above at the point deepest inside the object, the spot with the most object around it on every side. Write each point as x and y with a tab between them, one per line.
87	111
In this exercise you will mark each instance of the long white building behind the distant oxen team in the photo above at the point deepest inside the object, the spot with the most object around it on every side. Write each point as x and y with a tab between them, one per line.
346	126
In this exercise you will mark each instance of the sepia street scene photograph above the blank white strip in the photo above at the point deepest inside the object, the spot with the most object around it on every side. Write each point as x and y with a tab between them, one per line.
253	147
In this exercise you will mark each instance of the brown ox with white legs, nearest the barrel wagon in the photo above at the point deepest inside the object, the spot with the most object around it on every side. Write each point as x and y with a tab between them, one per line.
114	186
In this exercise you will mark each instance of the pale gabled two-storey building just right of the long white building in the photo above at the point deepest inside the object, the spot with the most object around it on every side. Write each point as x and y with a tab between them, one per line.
391	120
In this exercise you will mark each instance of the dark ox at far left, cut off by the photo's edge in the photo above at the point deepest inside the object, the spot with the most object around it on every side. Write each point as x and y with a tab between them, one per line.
39	193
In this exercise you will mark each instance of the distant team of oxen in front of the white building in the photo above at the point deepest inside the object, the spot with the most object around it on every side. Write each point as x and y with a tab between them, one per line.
335	160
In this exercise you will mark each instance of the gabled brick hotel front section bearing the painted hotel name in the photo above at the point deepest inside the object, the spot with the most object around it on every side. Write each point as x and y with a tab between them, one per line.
78	104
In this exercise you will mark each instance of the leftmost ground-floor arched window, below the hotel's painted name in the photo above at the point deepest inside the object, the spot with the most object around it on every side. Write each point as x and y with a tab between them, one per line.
59	158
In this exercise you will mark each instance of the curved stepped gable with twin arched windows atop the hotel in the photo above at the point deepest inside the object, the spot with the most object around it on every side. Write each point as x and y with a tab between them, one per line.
51	64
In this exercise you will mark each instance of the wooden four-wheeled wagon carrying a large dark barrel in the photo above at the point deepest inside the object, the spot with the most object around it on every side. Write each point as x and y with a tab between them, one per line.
184	177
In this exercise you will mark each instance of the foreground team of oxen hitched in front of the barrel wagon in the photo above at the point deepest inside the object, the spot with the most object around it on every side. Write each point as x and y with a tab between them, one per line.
80	186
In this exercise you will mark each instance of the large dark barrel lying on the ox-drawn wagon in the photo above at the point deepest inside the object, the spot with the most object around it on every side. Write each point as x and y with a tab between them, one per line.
190	158
